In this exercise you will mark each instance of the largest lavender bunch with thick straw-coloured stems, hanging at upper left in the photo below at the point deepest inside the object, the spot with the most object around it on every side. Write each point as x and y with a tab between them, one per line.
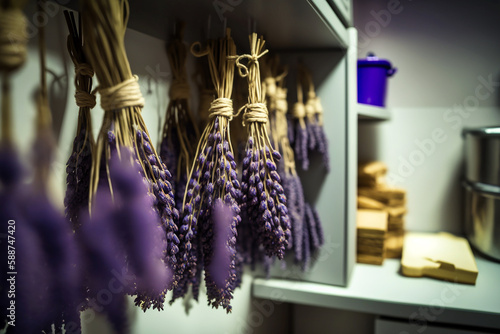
104	27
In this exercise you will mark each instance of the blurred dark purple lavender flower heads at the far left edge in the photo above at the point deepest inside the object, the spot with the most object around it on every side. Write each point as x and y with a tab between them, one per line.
32	303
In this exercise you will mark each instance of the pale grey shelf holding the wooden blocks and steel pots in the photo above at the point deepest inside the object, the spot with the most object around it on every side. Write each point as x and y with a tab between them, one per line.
383	290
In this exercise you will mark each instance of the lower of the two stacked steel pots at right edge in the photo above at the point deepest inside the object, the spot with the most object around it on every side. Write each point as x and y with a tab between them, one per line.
482	217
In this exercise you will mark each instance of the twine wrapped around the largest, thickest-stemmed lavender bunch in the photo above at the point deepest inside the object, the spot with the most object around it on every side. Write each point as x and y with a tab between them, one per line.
125	94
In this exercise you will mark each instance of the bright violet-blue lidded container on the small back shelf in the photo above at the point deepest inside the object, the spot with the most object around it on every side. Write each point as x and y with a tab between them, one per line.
372	80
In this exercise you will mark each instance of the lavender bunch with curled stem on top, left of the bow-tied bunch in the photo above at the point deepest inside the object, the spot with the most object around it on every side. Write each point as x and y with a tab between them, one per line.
211	197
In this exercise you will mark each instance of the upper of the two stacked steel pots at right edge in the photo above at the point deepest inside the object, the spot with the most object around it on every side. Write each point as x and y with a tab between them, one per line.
482	155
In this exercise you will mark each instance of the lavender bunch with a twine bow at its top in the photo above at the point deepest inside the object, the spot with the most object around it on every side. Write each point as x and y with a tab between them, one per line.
263	199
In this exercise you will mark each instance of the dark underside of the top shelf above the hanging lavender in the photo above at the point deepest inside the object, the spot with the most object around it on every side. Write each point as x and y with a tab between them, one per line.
285	24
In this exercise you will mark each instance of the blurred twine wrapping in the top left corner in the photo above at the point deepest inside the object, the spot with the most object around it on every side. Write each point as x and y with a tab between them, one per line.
13	38
